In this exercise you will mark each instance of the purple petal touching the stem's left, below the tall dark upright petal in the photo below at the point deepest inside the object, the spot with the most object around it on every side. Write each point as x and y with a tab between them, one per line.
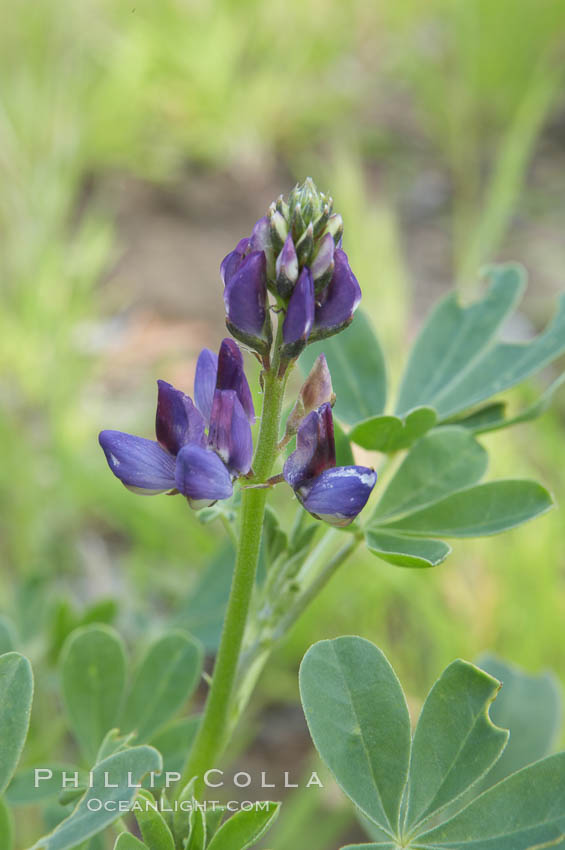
230	432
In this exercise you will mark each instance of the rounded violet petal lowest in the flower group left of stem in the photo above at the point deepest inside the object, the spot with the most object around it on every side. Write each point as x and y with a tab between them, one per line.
201	476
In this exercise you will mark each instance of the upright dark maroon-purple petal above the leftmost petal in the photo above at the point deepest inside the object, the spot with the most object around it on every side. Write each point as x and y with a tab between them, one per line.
178	421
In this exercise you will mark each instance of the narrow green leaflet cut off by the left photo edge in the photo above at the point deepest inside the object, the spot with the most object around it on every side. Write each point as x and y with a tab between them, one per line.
16	695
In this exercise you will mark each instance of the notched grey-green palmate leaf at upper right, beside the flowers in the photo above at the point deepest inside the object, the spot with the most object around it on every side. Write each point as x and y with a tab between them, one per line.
456	363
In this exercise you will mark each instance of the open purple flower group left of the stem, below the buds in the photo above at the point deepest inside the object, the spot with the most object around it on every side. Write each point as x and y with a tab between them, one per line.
184	458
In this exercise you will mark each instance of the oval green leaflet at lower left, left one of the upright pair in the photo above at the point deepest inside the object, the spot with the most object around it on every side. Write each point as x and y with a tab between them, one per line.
93	669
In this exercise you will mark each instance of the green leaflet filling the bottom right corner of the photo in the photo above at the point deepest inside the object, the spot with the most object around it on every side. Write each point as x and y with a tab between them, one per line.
526	811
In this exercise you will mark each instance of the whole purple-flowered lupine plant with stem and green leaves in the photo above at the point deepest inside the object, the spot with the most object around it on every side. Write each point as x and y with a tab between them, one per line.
290	296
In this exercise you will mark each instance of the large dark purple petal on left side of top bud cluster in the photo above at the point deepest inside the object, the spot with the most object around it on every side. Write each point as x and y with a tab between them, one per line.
245	296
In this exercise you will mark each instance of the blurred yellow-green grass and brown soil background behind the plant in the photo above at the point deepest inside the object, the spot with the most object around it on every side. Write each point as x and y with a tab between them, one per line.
138	142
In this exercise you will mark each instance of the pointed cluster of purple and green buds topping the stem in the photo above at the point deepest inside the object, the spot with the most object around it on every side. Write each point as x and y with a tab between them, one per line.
295	252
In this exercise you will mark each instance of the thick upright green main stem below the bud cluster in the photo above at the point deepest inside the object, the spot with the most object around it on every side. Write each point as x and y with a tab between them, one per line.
217	719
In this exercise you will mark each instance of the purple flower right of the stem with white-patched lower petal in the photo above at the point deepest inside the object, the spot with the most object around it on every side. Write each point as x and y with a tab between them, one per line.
335	494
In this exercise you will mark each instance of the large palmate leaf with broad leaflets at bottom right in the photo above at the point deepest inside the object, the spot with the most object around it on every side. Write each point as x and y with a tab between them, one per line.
454	745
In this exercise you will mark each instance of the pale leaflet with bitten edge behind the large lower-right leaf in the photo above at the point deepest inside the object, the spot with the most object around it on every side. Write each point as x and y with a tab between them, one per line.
530	707
